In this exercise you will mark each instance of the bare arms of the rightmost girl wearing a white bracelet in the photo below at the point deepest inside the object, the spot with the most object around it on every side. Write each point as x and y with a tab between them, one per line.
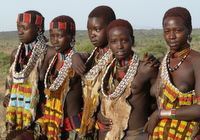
187	113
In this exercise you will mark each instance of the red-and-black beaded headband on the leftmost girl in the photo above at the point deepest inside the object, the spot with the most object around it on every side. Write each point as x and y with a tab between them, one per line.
30	18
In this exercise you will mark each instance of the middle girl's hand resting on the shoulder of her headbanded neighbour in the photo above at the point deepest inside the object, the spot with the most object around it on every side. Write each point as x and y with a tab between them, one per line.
78	65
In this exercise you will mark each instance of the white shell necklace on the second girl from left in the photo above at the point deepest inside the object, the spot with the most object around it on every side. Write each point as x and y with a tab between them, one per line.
62	74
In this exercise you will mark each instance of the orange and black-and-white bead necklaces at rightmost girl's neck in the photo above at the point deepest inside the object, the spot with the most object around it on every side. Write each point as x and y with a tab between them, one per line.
184	53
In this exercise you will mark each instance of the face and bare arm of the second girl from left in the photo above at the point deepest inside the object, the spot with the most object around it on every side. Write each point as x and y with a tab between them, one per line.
73	102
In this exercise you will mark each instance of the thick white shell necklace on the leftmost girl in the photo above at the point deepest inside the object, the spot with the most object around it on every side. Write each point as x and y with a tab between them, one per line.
38	50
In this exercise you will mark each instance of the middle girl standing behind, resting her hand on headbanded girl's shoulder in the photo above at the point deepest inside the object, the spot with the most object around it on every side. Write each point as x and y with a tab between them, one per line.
91	71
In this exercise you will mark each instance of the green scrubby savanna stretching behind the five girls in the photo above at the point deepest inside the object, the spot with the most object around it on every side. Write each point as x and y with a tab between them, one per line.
150	41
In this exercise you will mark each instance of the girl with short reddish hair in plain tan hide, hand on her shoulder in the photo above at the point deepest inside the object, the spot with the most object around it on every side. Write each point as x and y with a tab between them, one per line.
125	87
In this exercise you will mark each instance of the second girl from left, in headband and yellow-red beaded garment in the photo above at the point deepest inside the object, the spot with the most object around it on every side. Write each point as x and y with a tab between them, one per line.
62	111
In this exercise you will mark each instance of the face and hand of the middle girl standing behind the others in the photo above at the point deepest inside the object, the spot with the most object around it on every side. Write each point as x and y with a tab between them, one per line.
97	34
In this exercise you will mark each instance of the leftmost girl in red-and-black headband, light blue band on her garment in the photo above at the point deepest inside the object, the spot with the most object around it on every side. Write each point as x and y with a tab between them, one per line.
25	74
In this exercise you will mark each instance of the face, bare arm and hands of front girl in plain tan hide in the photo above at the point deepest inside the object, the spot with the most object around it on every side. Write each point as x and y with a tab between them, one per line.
120	42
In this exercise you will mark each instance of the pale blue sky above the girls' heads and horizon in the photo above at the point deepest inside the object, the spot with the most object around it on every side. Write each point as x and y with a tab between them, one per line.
142	14
